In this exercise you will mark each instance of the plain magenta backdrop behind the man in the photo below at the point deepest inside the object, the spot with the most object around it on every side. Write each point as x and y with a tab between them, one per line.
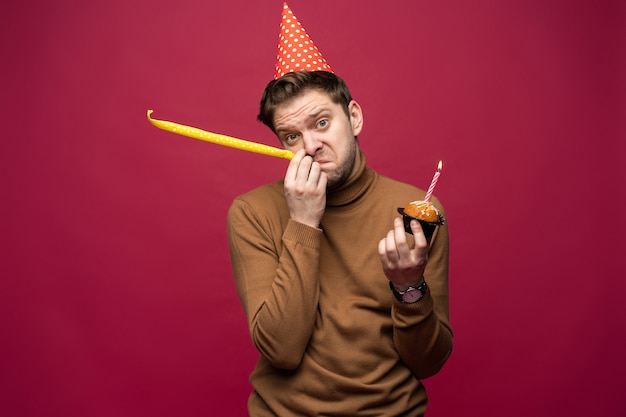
116	296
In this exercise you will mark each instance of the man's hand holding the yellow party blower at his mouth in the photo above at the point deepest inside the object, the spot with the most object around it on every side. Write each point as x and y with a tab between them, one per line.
305	190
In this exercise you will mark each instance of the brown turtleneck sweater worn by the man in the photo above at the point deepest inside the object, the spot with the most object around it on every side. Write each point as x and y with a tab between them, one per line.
333	339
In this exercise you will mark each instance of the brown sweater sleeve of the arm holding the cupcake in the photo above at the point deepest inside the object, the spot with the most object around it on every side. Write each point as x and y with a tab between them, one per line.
422	331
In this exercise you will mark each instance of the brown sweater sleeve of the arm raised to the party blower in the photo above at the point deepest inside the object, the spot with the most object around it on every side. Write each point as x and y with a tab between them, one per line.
276	275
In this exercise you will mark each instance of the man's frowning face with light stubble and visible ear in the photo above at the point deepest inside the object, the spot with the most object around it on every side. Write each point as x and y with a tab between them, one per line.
313	122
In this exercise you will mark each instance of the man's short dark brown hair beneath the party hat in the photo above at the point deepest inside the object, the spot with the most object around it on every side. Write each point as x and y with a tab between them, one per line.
293	84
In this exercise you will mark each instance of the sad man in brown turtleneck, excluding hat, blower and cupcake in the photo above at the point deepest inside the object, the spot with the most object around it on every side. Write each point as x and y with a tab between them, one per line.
320	260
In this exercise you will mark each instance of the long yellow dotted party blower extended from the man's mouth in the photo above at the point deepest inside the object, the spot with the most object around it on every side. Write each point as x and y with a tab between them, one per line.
218	139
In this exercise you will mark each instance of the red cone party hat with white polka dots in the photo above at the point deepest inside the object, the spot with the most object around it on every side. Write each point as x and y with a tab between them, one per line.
296	50
